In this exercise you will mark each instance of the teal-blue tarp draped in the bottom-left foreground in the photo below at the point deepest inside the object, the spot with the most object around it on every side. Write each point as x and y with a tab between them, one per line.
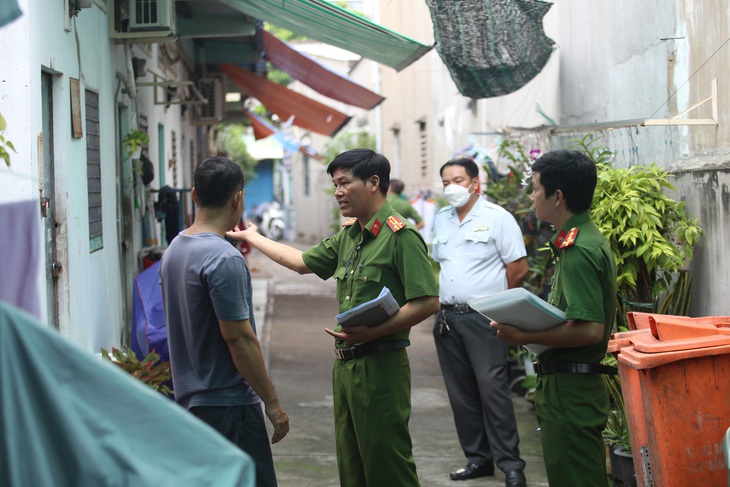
70	419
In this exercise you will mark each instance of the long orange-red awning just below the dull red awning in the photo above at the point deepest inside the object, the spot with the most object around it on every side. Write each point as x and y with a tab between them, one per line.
308	114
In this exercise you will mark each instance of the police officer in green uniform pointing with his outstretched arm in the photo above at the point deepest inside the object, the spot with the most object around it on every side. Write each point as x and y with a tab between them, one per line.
371	377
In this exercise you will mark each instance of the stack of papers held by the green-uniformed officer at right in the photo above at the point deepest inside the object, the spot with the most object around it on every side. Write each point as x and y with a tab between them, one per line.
519	307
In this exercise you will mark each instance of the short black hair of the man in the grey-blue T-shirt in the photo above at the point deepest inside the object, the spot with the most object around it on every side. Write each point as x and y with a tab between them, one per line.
216	180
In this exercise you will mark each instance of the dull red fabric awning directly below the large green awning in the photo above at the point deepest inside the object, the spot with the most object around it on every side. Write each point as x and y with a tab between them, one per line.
317	76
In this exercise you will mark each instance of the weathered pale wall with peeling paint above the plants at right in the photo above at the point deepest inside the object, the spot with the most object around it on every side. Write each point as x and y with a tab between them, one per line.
625	60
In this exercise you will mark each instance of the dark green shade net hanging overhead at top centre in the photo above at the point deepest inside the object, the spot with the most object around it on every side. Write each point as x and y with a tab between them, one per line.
491	47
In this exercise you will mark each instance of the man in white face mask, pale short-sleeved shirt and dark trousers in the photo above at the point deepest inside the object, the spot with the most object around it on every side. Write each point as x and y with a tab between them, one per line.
480	250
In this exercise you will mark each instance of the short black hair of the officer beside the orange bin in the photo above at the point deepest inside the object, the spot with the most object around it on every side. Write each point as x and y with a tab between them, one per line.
571	172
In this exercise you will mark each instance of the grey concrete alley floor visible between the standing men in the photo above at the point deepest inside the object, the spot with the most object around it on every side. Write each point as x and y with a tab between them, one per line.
291	313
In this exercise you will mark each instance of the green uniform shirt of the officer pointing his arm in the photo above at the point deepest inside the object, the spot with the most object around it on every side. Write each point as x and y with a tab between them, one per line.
364	261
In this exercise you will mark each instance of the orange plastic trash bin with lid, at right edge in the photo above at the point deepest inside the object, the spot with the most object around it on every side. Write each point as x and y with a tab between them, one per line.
677	397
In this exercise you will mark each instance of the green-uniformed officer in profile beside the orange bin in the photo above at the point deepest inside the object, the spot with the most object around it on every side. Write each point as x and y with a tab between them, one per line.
571	399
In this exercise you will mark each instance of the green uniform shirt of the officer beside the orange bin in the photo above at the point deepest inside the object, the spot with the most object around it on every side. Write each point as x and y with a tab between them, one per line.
584	286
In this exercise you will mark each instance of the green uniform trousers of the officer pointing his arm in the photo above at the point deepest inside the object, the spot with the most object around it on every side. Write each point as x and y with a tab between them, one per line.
372	403
